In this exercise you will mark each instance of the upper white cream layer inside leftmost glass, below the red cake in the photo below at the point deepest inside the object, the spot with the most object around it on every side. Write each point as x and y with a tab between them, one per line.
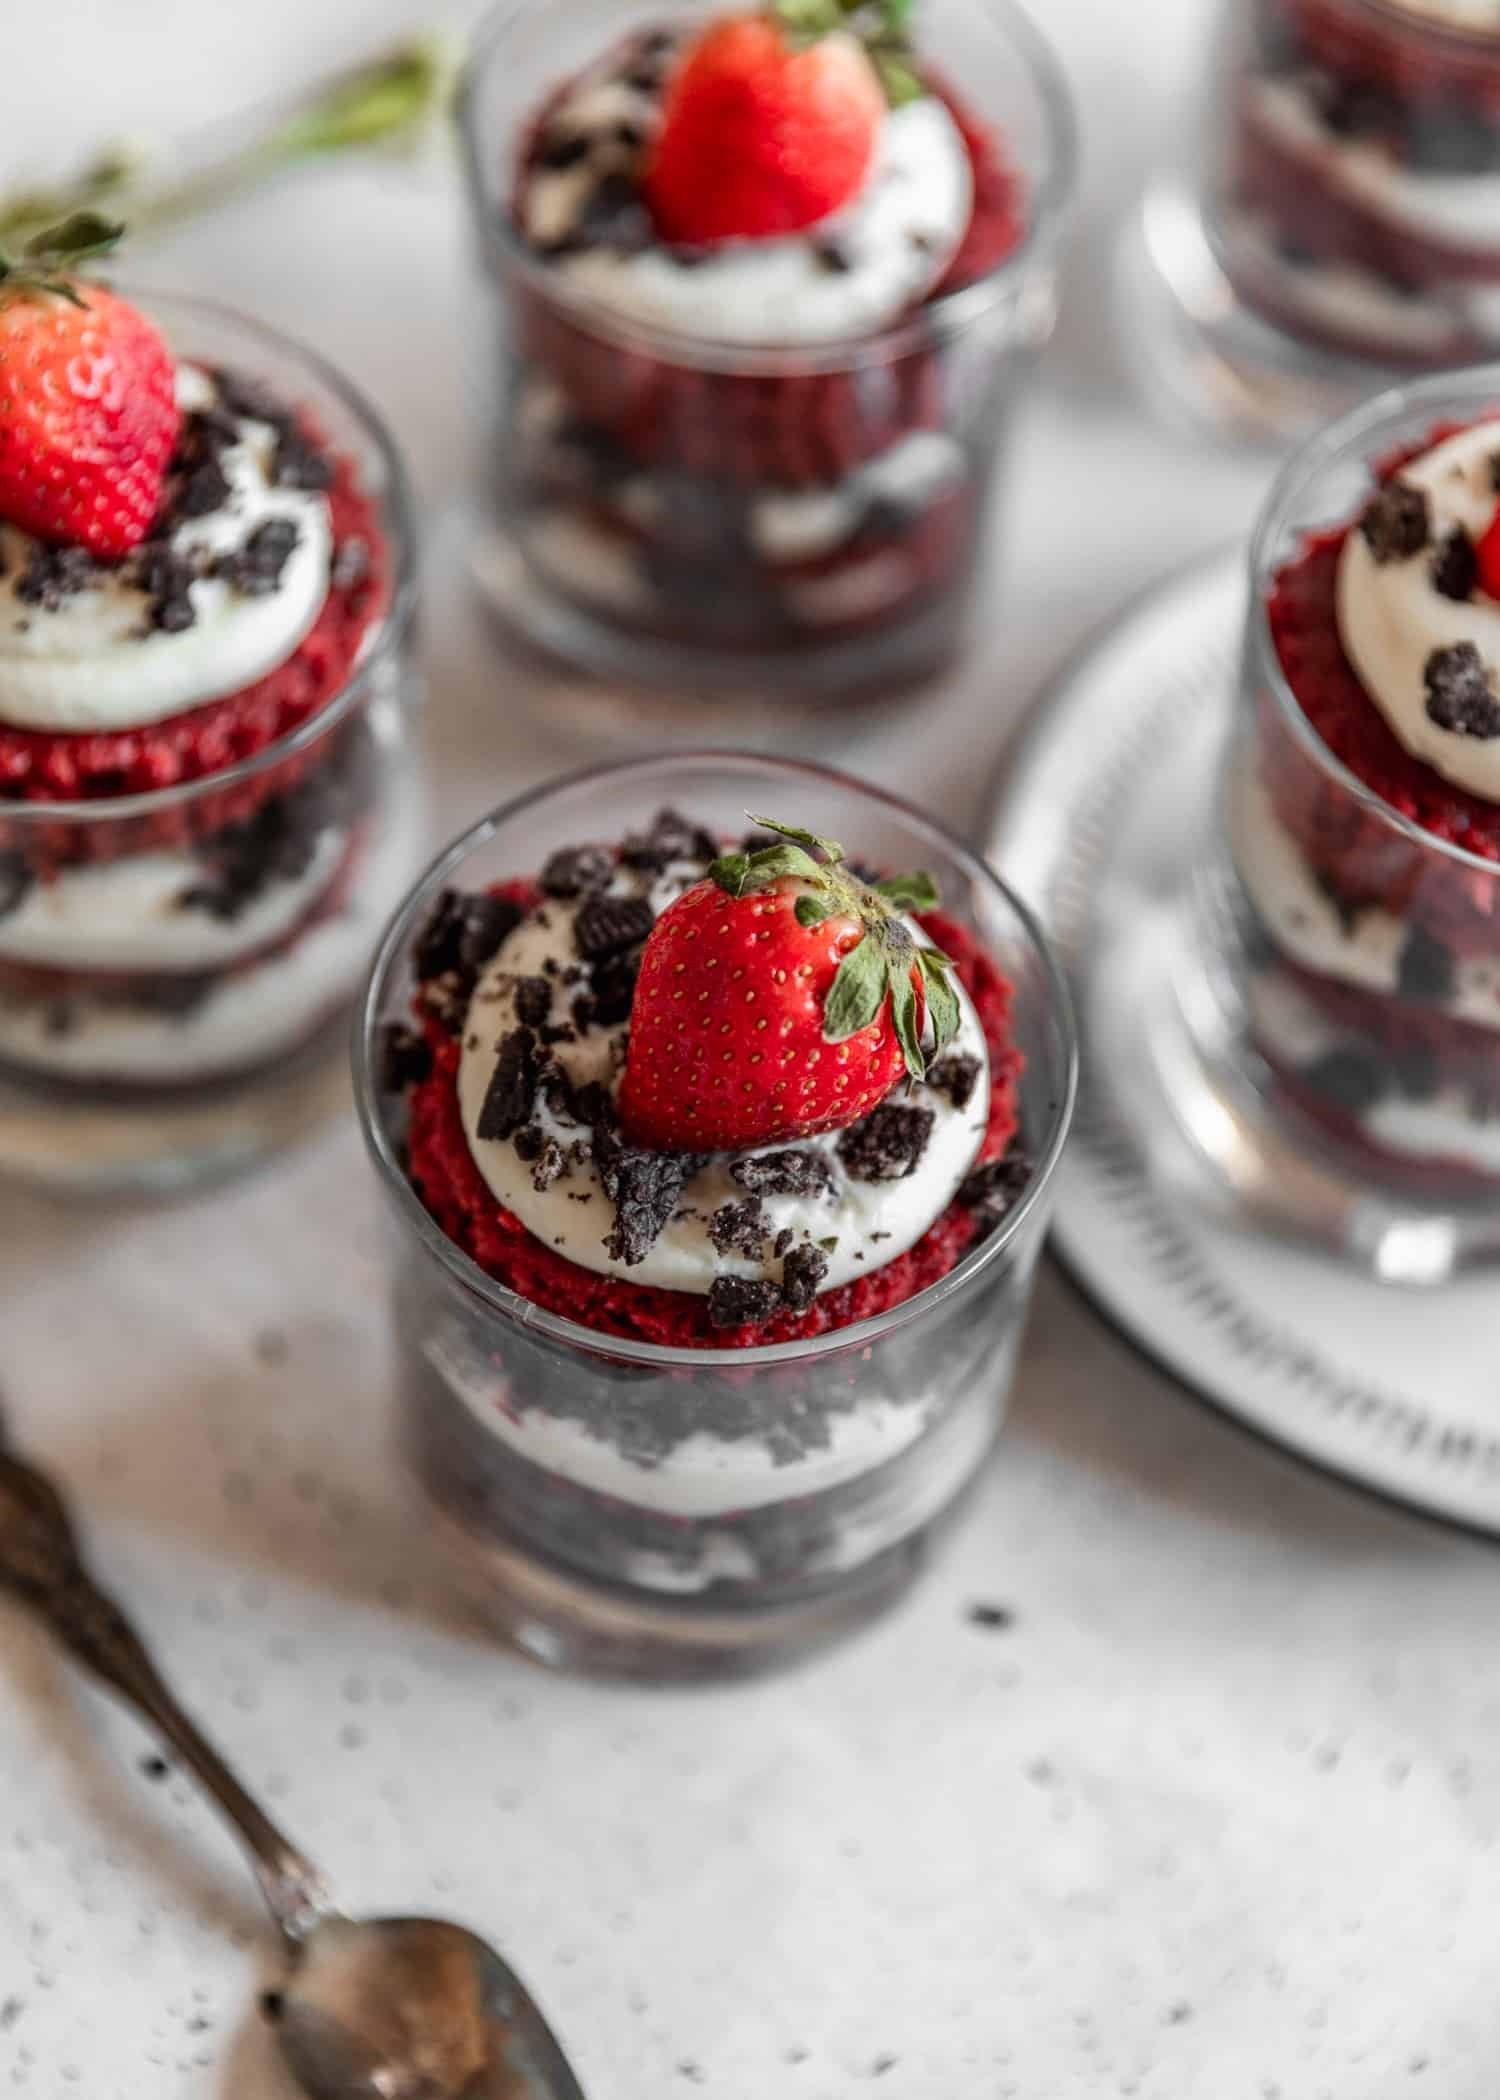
140	915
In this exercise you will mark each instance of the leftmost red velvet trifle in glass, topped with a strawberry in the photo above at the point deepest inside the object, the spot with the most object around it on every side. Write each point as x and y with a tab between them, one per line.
205	786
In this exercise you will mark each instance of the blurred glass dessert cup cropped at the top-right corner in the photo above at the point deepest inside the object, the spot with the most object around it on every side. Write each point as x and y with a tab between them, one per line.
1335	222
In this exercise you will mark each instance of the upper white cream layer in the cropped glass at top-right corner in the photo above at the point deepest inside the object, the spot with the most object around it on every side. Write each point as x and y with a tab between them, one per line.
1463	211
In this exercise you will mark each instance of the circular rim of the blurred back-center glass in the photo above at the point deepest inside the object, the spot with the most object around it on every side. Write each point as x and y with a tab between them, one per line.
913	331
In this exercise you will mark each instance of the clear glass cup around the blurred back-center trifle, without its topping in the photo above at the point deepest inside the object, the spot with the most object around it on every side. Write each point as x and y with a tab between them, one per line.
709	518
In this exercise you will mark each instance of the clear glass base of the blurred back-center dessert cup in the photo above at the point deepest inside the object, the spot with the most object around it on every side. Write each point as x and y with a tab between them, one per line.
646	686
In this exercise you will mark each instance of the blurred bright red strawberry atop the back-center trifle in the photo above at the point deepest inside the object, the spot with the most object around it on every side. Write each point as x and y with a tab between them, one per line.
762	133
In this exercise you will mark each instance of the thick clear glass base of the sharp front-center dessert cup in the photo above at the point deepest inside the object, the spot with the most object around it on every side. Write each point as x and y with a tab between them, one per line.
566	1622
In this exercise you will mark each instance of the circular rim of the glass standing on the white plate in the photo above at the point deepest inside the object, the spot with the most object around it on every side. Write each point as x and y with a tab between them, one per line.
1356	432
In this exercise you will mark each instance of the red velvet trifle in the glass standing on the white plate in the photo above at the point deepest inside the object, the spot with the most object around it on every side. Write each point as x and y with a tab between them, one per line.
1364	795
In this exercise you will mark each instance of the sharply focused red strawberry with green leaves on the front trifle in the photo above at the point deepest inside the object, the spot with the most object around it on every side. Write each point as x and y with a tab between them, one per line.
778	999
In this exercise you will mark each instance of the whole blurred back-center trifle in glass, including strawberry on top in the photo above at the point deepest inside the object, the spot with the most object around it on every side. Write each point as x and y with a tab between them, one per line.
768	285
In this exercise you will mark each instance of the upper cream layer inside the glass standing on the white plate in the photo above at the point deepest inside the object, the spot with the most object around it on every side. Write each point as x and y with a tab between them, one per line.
1362	948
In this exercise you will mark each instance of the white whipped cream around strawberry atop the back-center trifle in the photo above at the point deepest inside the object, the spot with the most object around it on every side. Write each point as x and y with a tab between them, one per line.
856	270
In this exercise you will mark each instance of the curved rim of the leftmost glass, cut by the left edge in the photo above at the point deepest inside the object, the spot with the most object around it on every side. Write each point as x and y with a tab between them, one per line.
379	650
